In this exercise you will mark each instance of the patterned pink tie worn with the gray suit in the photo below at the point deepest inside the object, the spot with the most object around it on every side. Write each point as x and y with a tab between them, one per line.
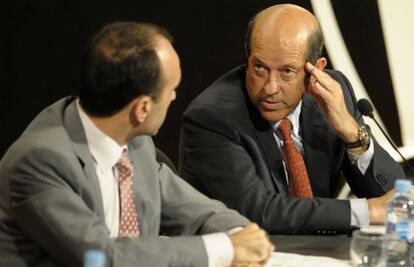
128	226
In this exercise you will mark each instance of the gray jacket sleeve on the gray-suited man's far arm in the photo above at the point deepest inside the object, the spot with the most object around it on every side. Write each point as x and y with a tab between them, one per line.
186	211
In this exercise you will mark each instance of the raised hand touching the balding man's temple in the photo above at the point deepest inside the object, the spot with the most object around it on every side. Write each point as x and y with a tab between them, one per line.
328	93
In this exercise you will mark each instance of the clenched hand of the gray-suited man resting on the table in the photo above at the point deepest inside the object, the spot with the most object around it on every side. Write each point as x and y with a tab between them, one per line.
251	246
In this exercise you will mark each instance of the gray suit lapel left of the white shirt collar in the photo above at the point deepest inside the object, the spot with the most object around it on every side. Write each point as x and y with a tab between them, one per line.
74	128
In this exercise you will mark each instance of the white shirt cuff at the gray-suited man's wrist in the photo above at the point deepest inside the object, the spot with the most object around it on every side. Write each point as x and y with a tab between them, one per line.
219	249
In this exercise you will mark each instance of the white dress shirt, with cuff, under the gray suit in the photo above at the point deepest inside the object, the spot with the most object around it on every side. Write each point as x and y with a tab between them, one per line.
106	152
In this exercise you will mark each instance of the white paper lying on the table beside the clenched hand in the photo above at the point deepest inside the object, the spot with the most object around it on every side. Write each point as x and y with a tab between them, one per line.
280	259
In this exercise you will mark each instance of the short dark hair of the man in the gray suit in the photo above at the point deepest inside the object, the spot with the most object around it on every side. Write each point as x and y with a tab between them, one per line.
120	64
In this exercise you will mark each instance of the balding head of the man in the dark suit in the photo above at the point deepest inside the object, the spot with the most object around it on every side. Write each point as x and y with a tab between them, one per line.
281	40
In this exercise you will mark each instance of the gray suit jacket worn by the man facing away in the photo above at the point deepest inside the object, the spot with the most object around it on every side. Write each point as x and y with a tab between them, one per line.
51	206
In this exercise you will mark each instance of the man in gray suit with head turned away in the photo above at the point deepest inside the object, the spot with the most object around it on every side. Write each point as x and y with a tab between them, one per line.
84	175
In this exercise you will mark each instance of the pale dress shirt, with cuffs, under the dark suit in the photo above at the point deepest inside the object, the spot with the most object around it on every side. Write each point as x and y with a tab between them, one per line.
359	206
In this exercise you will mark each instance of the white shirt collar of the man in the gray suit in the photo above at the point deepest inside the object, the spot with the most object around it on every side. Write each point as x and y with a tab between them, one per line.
105	151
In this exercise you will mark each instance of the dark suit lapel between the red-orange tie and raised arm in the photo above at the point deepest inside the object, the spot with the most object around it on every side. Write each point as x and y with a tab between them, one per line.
314	132
